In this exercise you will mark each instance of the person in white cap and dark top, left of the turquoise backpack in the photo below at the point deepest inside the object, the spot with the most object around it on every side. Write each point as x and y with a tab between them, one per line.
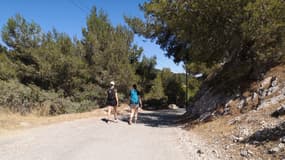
112	101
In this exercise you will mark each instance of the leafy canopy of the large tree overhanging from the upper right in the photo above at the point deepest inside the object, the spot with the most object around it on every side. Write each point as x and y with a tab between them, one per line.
215	32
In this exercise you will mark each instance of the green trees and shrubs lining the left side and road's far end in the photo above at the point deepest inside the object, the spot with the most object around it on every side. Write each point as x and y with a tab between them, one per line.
54	73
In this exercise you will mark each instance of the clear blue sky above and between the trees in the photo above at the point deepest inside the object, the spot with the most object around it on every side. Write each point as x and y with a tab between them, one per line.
69	16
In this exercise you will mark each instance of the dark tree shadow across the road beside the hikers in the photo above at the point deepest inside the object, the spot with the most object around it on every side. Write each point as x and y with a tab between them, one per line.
160	118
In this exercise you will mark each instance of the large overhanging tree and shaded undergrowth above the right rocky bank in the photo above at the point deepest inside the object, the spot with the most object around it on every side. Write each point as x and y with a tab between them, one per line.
233	43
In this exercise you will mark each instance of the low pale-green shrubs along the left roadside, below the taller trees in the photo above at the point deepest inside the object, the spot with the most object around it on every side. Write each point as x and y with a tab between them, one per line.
25	99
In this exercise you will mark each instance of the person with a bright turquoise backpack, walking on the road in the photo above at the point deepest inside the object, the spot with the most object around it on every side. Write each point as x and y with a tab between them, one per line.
135	103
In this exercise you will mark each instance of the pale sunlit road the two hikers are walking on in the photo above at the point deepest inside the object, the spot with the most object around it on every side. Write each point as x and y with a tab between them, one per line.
153	138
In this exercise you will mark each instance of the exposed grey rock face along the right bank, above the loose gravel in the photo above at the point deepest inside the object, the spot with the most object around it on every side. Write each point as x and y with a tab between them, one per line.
209	102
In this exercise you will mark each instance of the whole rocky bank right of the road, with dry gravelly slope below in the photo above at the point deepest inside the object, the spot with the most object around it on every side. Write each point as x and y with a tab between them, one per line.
248	125
